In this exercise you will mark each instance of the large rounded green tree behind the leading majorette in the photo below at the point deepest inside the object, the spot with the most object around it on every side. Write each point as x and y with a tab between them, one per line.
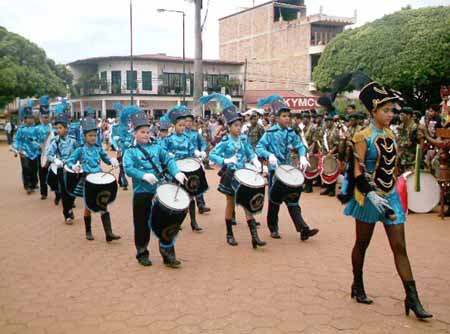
407	51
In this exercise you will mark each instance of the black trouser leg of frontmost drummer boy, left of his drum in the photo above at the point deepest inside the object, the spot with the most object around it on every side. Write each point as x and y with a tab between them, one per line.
142	207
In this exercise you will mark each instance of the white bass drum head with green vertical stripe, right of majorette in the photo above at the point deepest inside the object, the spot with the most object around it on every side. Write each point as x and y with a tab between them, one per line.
427	198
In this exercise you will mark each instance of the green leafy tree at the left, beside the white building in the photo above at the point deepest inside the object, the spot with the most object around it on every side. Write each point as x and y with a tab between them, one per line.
25	70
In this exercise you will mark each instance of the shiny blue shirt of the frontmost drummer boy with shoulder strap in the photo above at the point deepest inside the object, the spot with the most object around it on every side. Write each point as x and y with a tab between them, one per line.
136	165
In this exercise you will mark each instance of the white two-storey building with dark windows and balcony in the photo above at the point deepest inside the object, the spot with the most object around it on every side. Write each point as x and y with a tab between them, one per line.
157	82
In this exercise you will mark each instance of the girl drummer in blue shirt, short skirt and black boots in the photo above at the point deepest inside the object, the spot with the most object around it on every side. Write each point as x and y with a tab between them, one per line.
232	152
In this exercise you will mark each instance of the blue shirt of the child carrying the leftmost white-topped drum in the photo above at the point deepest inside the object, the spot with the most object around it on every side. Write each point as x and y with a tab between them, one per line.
90	158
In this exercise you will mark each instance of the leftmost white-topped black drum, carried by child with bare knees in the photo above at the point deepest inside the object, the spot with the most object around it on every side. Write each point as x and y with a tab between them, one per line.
100	189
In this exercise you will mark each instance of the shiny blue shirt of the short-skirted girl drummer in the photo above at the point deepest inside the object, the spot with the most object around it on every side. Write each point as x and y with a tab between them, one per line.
230	146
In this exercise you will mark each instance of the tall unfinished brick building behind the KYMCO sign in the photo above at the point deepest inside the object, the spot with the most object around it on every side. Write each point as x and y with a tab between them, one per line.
280	43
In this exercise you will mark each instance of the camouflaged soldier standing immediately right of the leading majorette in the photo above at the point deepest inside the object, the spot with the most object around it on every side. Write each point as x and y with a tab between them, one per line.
407	141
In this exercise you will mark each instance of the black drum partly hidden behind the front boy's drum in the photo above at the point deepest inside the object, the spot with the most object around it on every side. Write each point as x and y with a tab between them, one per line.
196	183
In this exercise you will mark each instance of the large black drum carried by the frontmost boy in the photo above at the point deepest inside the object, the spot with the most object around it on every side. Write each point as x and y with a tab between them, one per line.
170	207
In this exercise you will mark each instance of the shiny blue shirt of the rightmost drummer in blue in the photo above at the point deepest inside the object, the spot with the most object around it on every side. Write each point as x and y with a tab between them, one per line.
279	141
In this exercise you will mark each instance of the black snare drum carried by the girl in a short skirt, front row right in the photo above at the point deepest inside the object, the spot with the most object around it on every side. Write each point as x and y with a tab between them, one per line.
249	189
